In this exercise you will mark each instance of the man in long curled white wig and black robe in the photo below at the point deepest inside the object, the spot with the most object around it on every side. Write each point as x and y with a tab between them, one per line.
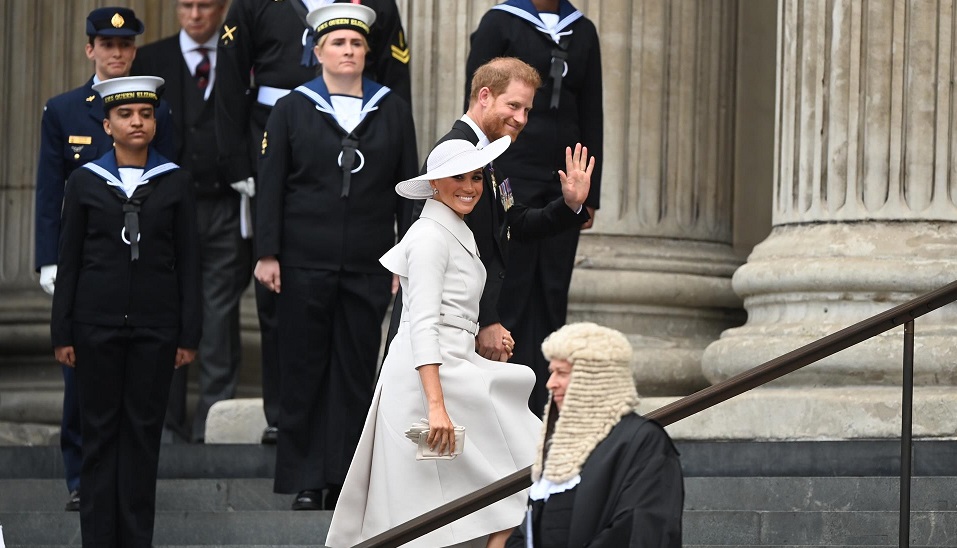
604	476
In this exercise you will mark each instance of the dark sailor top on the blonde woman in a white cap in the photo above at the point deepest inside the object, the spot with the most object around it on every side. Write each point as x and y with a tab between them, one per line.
302	217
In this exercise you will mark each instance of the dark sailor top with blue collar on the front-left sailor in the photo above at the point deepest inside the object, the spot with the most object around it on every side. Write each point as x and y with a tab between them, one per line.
98	284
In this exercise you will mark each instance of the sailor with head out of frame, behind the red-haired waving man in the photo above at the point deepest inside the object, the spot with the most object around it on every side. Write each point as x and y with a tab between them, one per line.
556	39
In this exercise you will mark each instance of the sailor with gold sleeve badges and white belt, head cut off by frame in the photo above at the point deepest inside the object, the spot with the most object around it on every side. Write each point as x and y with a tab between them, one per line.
272	41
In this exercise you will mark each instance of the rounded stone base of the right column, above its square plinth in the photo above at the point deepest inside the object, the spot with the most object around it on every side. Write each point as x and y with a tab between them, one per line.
805	282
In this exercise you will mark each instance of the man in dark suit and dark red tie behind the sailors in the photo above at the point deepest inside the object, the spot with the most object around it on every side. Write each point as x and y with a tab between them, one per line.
187	61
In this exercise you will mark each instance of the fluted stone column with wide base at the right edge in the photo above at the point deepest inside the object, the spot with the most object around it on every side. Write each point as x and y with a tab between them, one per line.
863	219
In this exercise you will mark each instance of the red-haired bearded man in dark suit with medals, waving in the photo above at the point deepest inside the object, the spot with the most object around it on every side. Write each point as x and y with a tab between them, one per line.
501	97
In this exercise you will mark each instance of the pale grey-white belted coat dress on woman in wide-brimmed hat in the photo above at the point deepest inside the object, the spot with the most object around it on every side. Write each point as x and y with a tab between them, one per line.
440	272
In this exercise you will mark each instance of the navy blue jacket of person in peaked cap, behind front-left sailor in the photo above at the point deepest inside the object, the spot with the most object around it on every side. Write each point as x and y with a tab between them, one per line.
76	116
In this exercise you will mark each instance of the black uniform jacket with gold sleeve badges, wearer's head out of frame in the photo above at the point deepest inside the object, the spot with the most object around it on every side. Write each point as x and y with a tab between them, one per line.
263	38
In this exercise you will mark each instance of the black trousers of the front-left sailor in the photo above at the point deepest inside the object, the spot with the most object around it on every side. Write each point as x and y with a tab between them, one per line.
123	376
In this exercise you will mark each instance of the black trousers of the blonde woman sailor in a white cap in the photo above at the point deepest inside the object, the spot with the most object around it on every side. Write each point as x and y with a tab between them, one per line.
330	330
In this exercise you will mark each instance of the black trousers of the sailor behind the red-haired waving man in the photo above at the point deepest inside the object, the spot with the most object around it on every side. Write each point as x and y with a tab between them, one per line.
533	302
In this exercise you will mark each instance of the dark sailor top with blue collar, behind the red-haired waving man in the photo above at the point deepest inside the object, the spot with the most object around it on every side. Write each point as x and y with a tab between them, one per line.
510	30
